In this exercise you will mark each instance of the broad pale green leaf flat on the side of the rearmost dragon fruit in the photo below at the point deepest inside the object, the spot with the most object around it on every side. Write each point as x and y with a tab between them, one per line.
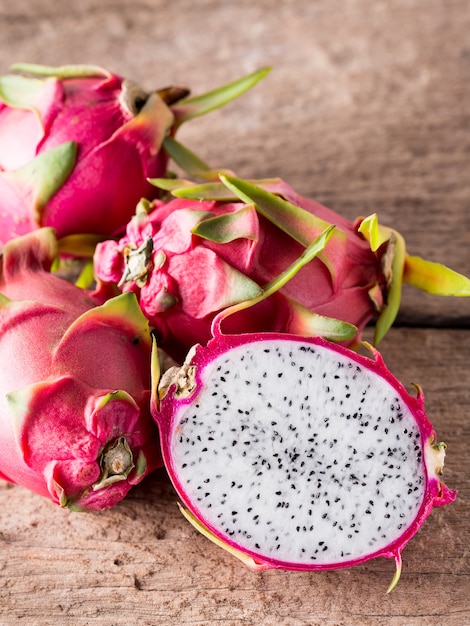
46	173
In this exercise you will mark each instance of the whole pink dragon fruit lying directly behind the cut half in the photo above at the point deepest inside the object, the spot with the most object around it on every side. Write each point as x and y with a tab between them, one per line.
219	243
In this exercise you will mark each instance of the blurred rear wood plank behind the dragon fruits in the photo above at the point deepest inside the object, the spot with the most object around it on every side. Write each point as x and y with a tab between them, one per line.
367	107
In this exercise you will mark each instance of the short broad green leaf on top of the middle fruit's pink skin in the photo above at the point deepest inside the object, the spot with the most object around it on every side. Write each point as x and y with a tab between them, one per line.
241	224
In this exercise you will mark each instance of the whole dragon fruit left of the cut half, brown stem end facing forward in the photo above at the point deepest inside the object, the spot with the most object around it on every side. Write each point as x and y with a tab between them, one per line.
75	423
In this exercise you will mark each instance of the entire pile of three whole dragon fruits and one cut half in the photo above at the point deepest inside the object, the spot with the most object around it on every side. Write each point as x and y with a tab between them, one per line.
202	323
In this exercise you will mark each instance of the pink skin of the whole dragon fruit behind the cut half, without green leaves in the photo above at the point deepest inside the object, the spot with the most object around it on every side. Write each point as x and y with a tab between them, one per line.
189	278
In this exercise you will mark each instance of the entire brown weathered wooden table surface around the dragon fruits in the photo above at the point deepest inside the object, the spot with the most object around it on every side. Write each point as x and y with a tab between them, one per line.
367	109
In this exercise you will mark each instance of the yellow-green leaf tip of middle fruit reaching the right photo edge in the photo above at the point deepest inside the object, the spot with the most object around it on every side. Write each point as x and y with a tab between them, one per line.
435	278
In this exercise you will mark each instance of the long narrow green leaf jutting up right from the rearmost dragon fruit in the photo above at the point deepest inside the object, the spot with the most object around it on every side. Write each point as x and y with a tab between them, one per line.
191	107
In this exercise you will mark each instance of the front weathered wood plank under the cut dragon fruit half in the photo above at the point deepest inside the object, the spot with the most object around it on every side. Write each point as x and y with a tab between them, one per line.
142	563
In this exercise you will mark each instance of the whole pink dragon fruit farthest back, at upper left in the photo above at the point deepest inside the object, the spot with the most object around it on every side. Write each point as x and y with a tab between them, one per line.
78	143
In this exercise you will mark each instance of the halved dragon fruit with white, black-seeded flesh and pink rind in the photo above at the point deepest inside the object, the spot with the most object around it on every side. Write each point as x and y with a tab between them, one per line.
297	453
